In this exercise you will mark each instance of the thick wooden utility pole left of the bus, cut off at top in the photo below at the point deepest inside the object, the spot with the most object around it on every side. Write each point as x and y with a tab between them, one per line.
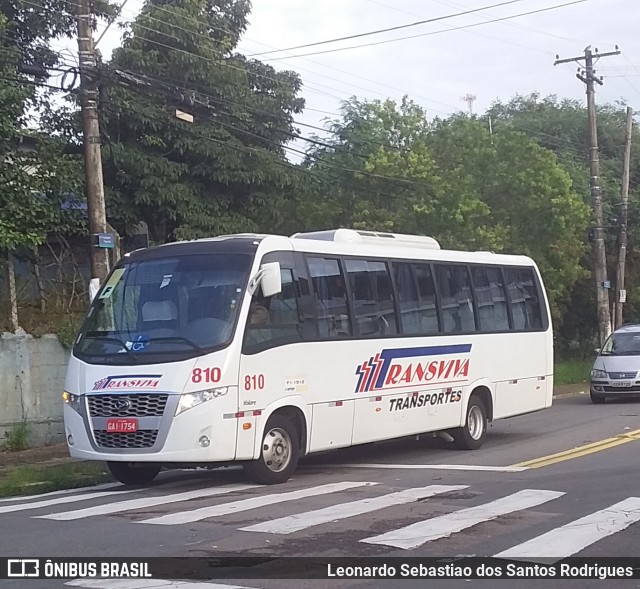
92	155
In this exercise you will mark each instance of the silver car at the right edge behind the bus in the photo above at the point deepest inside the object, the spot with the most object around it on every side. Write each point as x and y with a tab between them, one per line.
615	369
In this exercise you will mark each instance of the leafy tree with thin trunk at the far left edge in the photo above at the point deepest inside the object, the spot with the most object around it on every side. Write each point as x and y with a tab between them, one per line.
28	176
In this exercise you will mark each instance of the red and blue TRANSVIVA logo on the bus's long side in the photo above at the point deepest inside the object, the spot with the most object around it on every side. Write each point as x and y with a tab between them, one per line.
399	367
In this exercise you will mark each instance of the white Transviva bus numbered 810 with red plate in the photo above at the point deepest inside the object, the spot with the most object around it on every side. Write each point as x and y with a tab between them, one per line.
259	349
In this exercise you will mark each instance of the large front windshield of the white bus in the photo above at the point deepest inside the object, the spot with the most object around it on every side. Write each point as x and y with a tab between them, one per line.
182	306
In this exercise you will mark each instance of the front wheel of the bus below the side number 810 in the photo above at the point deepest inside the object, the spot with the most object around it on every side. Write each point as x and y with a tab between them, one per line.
279	454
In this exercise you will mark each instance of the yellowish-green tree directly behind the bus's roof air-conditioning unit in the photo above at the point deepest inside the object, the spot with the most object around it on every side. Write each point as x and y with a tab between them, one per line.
379	173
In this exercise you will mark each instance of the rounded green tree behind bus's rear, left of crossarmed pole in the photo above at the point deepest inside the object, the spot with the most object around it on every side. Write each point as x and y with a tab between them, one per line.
533	206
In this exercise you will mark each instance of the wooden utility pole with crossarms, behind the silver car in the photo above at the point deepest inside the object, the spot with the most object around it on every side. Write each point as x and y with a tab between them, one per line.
587	75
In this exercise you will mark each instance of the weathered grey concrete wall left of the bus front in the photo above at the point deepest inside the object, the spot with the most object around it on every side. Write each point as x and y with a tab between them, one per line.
32	372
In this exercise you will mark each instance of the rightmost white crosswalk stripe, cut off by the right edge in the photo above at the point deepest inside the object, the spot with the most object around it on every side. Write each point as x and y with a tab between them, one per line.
579	534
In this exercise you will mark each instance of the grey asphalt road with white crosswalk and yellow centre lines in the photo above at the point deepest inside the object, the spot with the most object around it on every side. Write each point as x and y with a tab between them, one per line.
407	498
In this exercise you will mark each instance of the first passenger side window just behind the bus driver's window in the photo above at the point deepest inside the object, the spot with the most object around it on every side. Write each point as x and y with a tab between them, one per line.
330	293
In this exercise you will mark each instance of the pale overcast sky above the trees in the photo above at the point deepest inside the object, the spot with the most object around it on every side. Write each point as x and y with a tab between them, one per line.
487	60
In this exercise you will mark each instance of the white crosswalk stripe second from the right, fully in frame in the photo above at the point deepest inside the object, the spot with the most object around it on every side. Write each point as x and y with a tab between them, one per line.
445	525
